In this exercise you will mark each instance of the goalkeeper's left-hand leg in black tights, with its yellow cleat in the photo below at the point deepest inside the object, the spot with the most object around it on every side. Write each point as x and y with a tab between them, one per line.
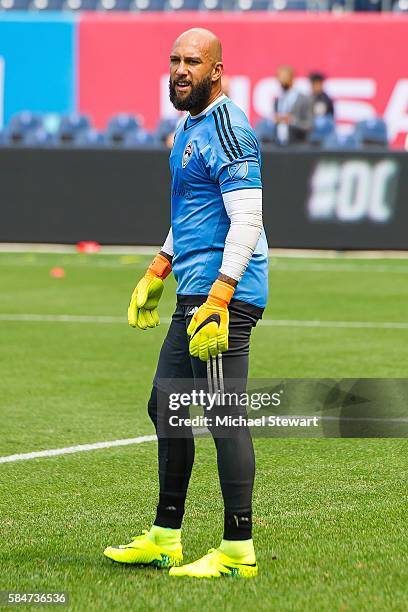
161	545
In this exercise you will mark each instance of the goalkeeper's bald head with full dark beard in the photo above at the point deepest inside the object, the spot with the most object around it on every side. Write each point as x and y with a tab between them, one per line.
195	70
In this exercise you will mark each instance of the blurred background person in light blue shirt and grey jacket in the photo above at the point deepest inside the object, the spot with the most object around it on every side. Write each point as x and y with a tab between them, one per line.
293	110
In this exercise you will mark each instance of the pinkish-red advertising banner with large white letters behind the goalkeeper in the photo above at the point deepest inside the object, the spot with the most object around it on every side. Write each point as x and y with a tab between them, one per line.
124	62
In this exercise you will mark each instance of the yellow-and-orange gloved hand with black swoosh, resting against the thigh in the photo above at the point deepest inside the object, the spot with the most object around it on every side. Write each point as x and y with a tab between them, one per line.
208	329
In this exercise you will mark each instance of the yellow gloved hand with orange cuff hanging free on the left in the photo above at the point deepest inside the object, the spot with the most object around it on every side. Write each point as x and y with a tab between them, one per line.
142	311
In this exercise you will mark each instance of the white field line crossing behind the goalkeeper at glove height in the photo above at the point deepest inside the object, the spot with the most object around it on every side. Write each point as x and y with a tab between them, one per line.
98	319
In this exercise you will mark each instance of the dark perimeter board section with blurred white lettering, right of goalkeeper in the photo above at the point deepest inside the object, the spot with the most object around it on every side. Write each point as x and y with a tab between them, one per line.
336	200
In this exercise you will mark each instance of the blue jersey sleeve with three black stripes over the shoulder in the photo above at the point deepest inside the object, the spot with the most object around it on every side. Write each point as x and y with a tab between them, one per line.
232	157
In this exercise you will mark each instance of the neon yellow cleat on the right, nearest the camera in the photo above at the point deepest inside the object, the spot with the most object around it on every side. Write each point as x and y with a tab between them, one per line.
216	564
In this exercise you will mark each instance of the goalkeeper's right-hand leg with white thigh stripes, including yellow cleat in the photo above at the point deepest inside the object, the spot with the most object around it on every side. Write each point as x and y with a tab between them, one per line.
235	455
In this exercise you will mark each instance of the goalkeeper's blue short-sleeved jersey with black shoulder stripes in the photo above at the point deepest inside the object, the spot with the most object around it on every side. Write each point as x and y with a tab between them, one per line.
214	153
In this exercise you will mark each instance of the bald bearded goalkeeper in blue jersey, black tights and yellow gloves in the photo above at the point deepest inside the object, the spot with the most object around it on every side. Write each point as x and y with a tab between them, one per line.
217	250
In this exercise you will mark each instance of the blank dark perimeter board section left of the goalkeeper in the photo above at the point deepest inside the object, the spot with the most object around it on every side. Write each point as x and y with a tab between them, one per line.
63	196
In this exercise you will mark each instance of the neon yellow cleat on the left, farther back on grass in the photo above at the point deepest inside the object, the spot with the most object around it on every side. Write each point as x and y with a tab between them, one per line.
144	551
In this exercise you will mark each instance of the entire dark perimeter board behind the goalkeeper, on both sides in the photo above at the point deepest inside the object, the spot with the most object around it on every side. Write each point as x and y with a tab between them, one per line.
337	201
